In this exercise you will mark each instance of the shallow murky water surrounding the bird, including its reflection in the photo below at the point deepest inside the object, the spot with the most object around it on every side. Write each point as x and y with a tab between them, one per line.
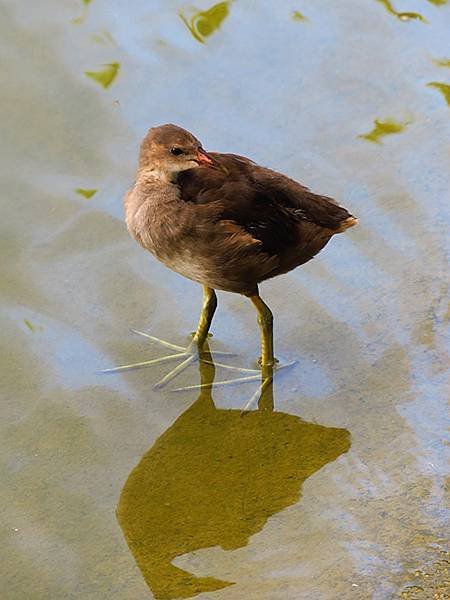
334	487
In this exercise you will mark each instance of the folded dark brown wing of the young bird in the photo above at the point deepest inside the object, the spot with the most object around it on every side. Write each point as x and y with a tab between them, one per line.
272	208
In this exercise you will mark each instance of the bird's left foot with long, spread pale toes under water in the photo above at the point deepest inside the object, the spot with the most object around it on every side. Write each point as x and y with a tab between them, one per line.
187	355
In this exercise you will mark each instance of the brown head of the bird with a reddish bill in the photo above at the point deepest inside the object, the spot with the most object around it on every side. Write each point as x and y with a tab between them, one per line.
168	149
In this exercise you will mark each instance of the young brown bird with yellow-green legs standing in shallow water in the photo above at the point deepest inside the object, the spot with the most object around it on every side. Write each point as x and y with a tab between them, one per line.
224	221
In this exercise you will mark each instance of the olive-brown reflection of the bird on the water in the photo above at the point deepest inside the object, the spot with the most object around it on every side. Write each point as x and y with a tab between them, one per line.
213	479
